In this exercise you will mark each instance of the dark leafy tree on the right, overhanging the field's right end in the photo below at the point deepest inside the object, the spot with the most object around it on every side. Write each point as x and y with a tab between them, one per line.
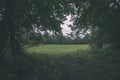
102	17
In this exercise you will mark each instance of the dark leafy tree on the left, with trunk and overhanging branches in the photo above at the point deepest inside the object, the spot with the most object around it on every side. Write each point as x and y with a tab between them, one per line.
17	14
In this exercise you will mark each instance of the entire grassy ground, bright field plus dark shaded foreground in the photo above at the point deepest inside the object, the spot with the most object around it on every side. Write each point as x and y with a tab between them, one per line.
62	62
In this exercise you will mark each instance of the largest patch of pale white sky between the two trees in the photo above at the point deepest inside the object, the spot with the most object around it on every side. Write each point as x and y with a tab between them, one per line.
65	28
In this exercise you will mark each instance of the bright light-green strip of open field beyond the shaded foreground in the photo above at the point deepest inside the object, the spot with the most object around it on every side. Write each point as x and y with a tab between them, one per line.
57	49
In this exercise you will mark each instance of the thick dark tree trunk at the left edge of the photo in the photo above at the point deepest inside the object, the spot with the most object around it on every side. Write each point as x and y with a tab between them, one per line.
8	29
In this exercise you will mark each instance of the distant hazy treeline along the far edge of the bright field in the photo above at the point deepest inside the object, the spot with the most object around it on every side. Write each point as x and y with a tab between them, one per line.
61	39
